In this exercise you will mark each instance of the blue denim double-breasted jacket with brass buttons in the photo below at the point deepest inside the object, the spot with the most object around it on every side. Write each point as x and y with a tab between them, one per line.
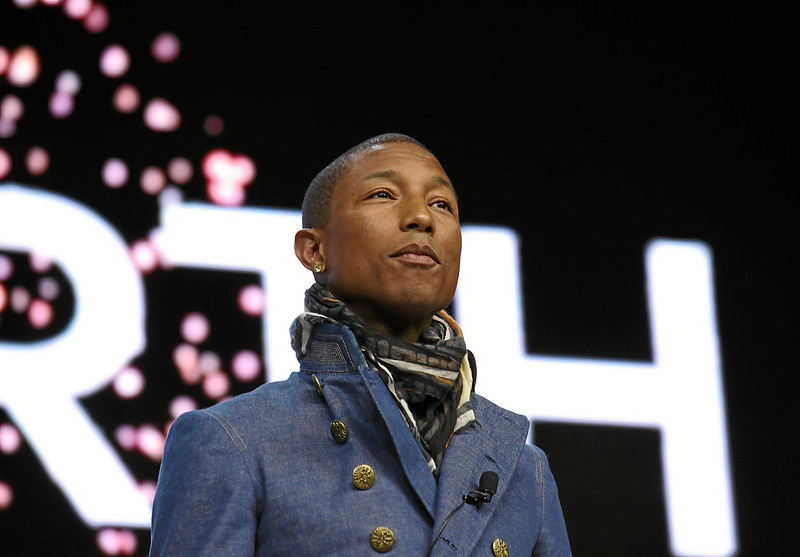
262	474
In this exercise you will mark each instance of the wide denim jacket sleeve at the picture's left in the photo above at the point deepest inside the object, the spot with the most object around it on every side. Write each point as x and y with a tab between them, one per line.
205	503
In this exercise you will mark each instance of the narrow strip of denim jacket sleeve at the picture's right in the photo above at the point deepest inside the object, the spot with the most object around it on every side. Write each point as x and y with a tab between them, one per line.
553	539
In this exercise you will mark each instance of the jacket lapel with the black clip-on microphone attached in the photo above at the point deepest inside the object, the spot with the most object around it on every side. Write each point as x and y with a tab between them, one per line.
494	445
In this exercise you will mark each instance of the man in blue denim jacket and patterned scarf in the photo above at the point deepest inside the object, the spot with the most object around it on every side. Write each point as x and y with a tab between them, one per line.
378	443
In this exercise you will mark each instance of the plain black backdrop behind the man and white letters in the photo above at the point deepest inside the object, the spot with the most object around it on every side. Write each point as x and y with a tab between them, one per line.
587	127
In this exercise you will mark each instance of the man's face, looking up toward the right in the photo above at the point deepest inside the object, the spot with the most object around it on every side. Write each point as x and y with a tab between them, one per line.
392	246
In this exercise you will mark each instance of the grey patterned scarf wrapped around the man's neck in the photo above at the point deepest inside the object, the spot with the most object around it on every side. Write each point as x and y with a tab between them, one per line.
431	380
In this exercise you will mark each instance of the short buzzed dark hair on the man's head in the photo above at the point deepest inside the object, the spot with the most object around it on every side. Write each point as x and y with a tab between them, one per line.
317	199
